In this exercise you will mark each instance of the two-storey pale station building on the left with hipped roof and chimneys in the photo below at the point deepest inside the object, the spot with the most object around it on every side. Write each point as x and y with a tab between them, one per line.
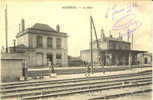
42	43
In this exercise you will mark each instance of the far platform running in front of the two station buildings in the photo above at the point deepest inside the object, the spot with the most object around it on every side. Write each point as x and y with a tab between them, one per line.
44	71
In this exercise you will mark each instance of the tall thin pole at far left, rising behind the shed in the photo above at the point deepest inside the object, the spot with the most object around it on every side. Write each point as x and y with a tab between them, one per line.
6	30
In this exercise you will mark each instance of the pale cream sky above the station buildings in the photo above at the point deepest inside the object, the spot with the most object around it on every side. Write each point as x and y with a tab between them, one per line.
74	19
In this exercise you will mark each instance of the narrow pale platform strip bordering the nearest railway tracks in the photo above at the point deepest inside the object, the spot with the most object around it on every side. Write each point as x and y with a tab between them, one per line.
82	75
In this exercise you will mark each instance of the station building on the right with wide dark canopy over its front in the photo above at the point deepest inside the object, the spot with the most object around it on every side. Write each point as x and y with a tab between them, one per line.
112	51
